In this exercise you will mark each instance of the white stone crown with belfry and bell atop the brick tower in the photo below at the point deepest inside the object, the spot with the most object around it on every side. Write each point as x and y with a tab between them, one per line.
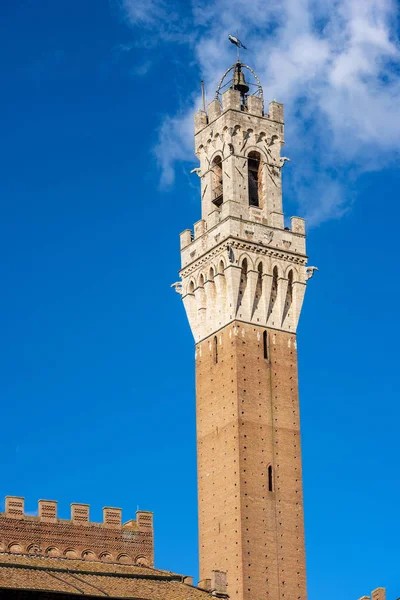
242	263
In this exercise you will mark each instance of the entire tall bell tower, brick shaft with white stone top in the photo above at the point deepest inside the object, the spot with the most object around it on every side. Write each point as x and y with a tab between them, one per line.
243	281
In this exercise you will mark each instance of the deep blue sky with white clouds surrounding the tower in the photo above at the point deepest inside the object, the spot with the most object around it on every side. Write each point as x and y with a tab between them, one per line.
97	378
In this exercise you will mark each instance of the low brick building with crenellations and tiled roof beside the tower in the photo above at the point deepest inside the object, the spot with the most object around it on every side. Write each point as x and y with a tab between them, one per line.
42	555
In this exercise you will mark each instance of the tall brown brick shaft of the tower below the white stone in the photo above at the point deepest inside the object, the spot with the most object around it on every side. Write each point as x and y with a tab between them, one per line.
247	421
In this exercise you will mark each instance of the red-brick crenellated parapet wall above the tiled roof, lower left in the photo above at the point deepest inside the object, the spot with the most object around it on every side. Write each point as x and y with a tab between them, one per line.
77	537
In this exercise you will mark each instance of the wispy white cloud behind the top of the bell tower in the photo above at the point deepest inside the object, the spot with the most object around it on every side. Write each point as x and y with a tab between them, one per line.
335	65
